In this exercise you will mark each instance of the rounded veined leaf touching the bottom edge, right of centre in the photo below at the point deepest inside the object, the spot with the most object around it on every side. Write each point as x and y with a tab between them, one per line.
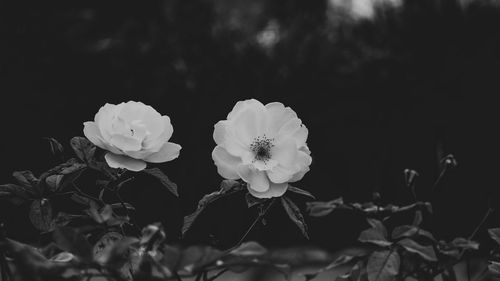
383	265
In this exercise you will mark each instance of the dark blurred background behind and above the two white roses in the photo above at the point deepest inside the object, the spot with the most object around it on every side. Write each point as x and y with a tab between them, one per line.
399	90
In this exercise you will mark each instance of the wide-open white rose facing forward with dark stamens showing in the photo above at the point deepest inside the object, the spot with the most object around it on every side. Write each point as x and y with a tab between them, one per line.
264	145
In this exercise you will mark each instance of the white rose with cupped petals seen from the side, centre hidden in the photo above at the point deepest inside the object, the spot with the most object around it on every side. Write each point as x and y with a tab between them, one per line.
133	133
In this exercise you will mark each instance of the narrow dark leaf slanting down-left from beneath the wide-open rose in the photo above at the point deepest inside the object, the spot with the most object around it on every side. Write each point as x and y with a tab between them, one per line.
227	187
